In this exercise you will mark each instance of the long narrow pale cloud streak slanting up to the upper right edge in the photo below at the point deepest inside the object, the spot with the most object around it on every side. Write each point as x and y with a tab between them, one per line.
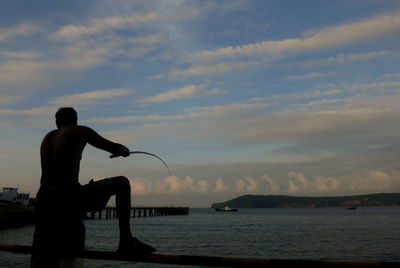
326	38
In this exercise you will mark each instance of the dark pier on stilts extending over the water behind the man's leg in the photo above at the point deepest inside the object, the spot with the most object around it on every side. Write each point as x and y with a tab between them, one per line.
111	212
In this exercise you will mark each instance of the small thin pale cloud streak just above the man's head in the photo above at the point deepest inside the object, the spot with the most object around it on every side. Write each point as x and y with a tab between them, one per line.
91	97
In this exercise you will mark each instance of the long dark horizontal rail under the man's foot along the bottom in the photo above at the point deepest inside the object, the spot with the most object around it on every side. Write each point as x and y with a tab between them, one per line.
210	260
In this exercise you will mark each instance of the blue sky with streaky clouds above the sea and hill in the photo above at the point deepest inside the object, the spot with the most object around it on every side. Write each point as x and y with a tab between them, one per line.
237	97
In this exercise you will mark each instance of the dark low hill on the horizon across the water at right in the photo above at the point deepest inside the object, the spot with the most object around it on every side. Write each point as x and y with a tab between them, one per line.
282	201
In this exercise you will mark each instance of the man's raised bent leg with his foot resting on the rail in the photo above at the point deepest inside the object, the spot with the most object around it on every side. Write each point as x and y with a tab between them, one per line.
98	194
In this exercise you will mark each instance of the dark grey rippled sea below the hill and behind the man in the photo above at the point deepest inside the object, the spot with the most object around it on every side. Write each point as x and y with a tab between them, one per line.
364	234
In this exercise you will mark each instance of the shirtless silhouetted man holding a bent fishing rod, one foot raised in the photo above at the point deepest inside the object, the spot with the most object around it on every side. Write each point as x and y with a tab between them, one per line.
62	200
